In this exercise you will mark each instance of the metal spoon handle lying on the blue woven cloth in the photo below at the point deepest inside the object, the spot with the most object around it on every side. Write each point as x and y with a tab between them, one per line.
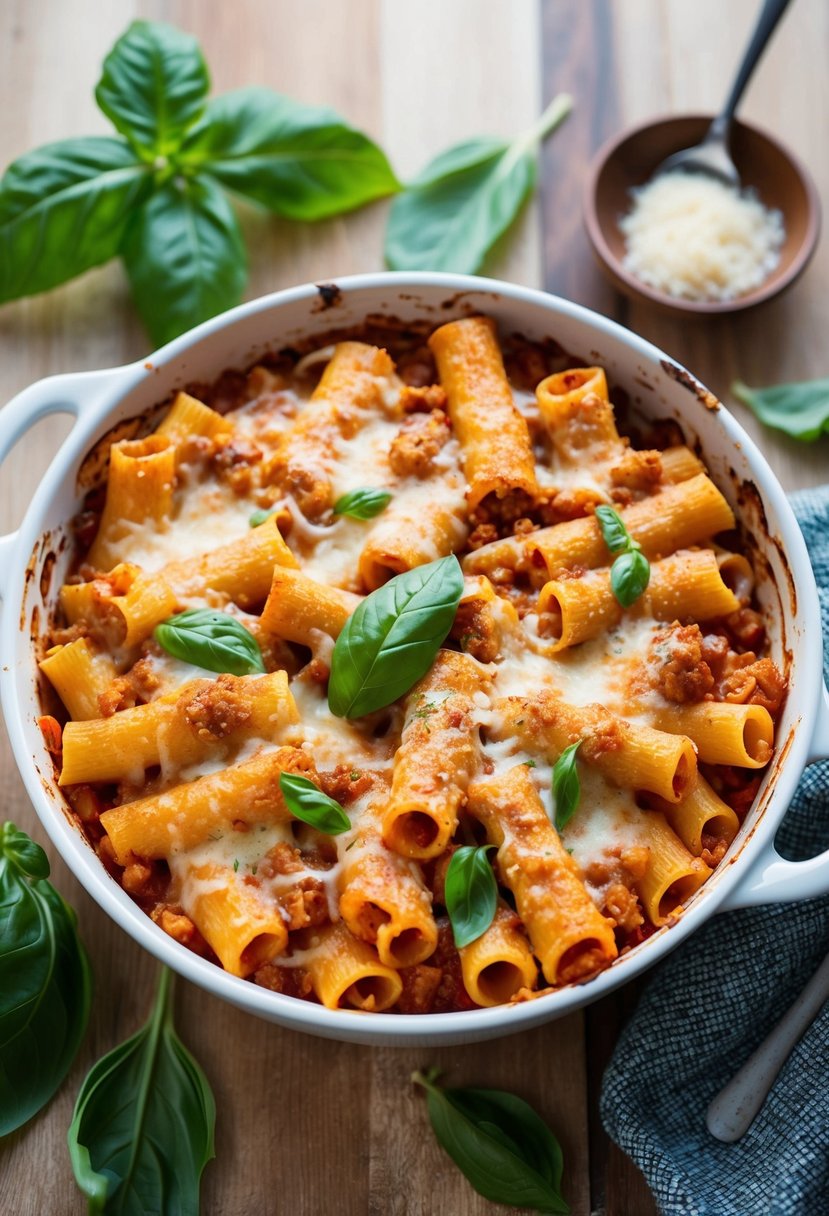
735	1108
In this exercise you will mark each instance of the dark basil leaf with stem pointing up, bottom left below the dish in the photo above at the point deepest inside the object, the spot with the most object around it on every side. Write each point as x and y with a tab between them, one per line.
143	1127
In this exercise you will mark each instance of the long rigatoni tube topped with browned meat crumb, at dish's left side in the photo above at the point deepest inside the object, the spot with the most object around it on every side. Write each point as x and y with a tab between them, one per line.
207	718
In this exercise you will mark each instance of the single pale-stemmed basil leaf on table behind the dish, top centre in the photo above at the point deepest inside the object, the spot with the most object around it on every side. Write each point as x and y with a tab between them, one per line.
455	211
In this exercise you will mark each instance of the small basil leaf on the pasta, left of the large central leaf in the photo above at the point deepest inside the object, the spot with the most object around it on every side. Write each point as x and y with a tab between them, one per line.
211	640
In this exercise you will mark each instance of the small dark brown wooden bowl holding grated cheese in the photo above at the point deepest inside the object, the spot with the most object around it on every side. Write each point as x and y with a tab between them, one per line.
630	160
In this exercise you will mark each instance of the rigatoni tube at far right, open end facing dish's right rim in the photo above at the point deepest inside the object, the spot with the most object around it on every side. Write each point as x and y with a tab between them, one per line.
723	731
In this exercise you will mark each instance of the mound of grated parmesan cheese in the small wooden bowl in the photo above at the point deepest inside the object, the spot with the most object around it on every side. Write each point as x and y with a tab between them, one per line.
696	239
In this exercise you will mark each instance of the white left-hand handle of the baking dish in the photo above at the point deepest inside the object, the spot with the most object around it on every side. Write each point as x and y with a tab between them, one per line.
76	393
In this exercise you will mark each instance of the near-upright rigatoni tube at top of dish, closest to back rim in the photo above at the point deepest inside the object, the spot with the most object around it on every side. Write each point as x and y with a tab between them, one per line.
498	454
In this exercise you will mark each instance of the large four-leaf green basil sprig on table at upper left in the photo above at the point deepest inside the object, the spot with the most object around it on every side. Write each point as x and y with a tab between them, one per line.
155	193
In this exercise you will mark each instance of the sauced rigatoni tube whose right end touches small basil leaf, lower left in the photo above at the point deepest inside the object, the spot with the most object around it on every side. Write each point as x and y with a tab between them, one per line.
187	815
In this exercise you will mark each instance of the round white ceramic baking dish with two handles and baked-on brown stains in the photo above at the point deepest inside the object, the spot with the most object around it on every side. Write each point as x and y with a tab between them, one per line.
35	560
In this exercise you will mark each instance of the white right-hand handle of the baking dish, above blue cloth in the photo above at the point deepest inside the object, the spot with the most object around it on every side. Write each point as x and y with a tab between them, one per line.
772	880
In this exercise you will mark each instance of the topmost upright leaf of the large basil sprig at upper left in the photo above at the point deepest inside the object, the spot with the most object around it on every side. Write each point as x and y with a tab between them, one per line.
154	87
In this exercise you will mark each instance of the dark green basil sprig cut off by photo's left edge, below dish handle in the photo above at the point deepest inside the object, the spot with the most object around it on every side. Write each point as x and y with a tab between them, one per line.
46	982
